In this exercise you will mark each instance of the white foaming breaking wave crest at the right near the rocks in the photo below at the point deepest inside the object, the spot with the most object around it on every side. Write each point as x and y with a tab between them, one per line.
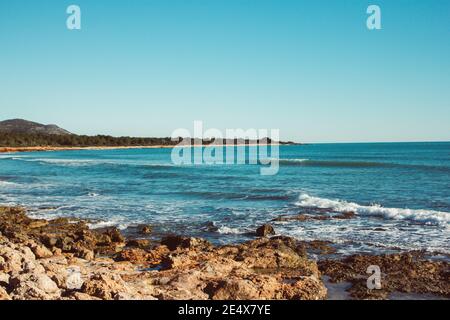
429	217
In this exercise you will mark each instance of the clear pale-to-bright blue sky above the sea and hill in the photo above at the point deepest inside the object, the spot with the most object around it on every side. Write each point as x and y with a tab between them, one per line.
310	68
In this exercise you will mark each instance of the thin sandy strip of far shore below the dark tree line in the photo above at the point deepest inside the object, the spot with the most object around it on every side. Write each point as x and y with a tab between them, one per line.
49	148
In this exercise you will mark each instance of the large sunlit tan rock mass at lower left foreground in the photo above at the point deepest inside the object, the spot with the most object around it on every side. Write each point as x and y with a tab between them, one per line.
60	259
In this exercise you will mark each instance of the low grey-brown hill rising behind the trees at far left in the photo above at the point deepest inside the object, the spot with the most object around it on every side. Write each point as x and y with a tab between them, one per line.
20	126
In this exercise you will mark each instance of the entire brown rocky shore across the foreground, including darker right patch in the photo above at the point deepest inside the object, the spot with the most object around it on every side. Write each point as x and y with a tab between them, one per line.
63	259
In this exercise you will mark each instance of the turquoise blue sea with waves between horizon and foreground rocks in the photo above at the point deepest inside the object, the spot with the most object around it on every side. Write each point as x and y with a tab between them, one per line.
400	193
